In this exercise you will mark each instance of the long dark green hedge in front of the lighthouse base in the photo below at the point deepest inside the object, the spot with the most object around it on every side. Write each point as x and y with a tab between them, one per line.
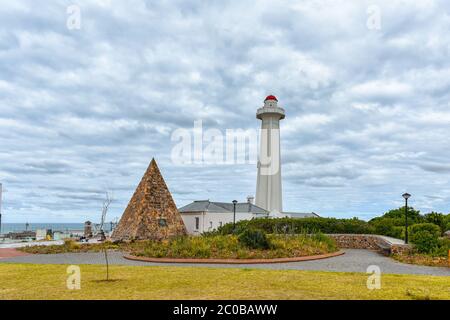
305	225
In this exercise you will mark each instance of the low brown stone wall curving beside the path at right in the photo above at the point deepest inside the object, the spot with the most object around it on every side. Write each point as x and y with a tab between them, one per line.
368	241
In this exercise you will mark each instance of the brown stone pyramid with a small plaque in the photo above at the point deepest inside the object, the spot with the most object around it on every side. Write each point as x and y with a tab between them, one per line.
151	212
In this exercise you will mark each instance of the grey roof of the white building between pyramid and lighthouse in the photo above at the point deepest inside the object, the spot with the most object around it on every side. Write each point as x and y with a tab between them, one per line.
221	207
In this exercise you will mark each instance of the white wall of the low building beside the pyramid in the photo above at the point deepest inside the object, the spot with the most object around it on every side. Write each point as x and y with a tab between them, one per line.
210	221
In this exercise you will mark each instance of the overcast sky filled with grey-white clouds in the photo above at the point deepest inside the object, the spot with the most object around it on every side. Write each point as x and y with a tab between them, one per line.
84	110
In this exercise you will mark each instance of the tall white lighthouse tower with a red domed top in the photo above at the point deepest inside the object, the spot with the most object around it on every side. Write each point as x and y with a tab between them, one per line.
268	184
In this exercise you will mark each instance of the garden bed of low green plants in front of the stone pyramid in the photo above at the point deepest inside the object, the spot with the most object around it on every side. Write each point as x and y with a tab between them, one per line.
207	247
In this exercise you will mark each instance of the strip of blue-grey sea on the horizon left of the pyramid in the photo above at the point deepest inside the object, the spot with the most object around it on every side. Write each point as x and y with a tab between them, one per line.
18	227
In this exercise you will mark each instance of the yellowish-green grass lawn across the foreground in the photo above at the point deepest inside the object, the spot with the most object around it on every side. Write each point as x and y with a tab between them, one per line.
28	281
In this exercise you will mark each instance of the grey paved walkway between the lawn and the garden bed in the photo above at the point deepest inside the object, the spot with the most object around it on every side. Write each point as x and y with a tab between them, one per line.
352	261
